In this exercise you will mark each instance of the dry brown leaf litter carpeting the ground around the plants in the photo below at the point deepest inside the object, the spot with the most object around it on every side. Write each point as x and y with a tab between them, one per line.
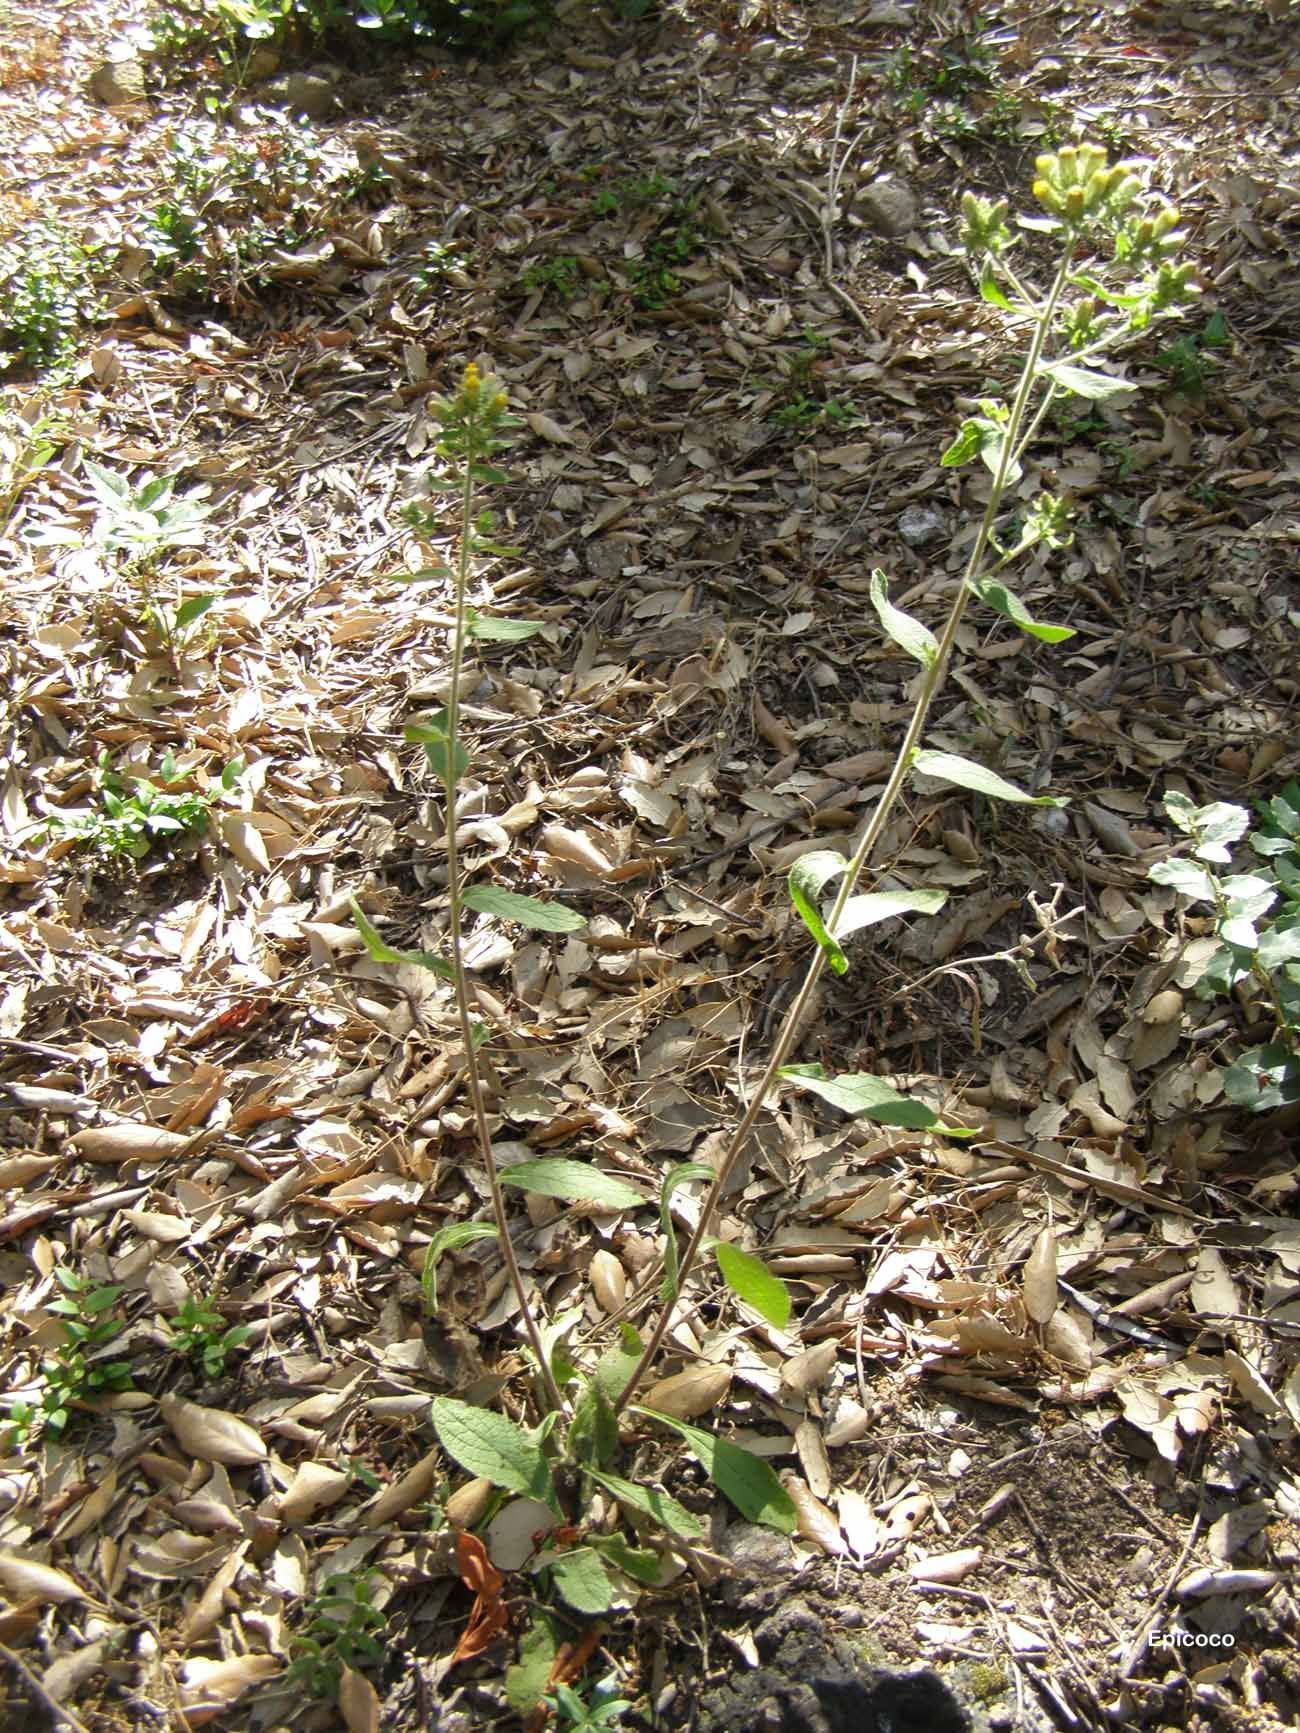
1039	1392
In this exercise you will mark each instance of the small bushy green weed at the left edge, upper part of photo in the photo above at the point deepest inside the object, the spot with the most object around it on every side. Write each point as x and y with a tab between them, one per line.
48	290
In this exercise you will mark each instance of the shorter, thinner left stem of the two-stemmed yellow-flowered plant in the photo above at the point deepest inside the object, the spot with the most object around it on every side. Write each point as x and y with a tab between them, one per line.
464	1011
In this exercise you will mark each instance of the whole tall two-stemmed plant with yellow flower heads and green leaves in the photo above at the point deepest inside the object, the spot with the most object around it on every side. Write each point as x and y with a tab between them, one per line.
594	1533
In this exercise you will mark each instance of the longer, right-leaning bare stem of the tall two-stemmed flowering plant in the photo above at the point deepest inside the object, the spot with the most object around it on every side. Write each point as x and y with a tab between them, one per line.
932	682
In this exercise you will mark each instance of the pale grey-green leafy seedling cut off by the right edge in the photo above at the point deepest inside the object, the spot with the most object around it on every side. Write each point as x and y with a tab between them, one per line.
1258	925
